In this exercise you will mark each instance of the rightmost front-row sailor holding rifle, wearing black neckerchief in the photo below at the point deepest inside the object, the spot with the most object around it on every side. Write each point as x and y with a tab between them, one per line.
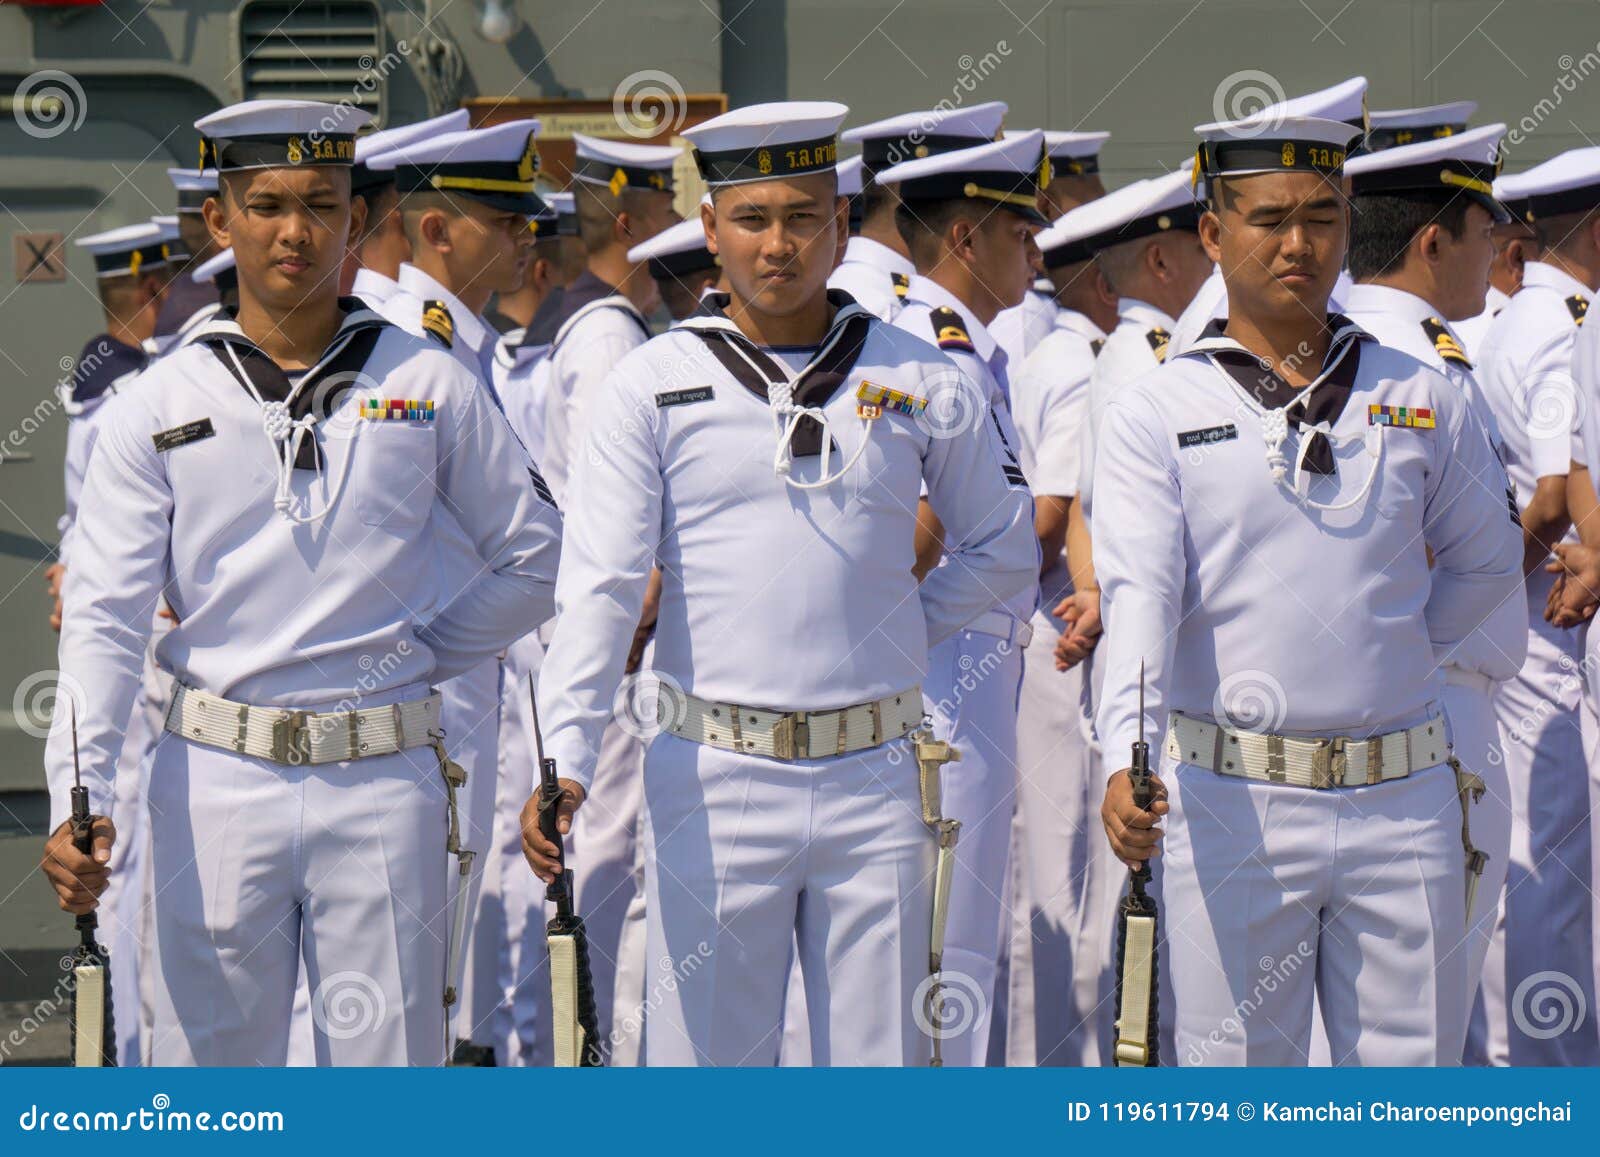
1262	505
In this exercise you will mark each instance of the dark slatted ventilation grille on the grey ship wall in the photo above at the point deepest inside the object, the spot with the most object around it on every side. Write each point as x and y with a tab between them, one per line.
314	50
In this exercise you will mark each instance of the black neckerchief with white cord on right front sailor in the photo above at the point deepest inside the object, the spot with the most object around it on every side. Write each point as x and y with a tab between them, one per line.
1319	402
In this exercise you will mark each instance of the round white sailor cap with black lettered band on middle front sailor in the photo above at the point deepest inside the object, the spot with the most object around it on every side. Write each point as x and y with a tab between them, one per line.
767	142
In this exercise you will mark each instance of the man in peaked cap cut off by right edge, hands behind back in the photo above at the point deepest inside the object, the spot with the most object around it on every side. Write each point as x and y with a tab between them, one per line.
1529	374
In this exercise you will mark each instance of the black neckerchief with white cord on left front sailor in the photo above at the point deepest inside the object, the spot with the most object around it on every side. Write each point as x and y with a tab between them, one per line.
353	345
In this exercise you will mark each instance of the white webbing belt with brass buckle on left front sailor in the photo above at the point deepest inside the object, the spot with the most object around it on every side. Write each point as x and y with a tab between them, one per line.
302	737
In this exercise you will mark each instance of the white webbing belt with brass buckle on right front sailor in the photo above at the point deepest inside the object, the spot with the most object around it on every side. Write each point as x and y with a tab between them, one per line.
1330	763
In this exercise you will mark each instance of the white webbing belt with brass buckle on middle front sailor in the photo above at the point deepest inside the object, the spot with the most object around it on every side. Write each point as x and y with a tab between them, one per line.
790	734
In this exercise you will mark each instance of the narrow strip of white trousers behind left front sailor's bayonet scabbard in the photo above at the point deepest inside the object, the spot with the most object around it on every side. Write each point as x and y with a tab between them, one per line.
470	716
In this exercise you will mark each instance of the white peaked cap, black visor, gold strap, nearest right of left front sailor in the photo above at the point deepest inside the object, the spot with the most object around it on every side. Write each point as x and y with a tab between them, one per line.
495	166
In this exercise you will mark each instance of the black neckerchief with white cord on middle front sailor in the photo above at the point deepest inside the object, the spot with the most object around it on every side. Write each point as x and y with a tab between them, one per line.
756	370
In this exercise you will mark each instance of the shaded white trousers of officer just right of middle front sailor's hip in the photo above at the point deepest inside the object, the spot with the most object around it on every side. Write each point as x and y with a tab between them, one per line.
972	697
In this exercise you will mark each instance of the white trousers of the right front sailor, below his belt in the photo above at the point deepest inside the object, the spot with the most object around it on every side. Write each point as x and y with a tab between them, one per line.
1273	894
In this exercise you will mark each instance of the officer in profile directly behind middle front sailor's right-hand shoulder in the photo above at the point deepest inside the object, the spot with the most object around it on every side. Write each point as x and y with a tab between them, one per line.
969	218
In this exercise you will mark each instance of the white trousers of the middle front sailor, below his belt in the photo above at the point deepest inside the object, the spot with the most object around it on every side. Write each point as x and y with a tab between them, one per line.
756	859
